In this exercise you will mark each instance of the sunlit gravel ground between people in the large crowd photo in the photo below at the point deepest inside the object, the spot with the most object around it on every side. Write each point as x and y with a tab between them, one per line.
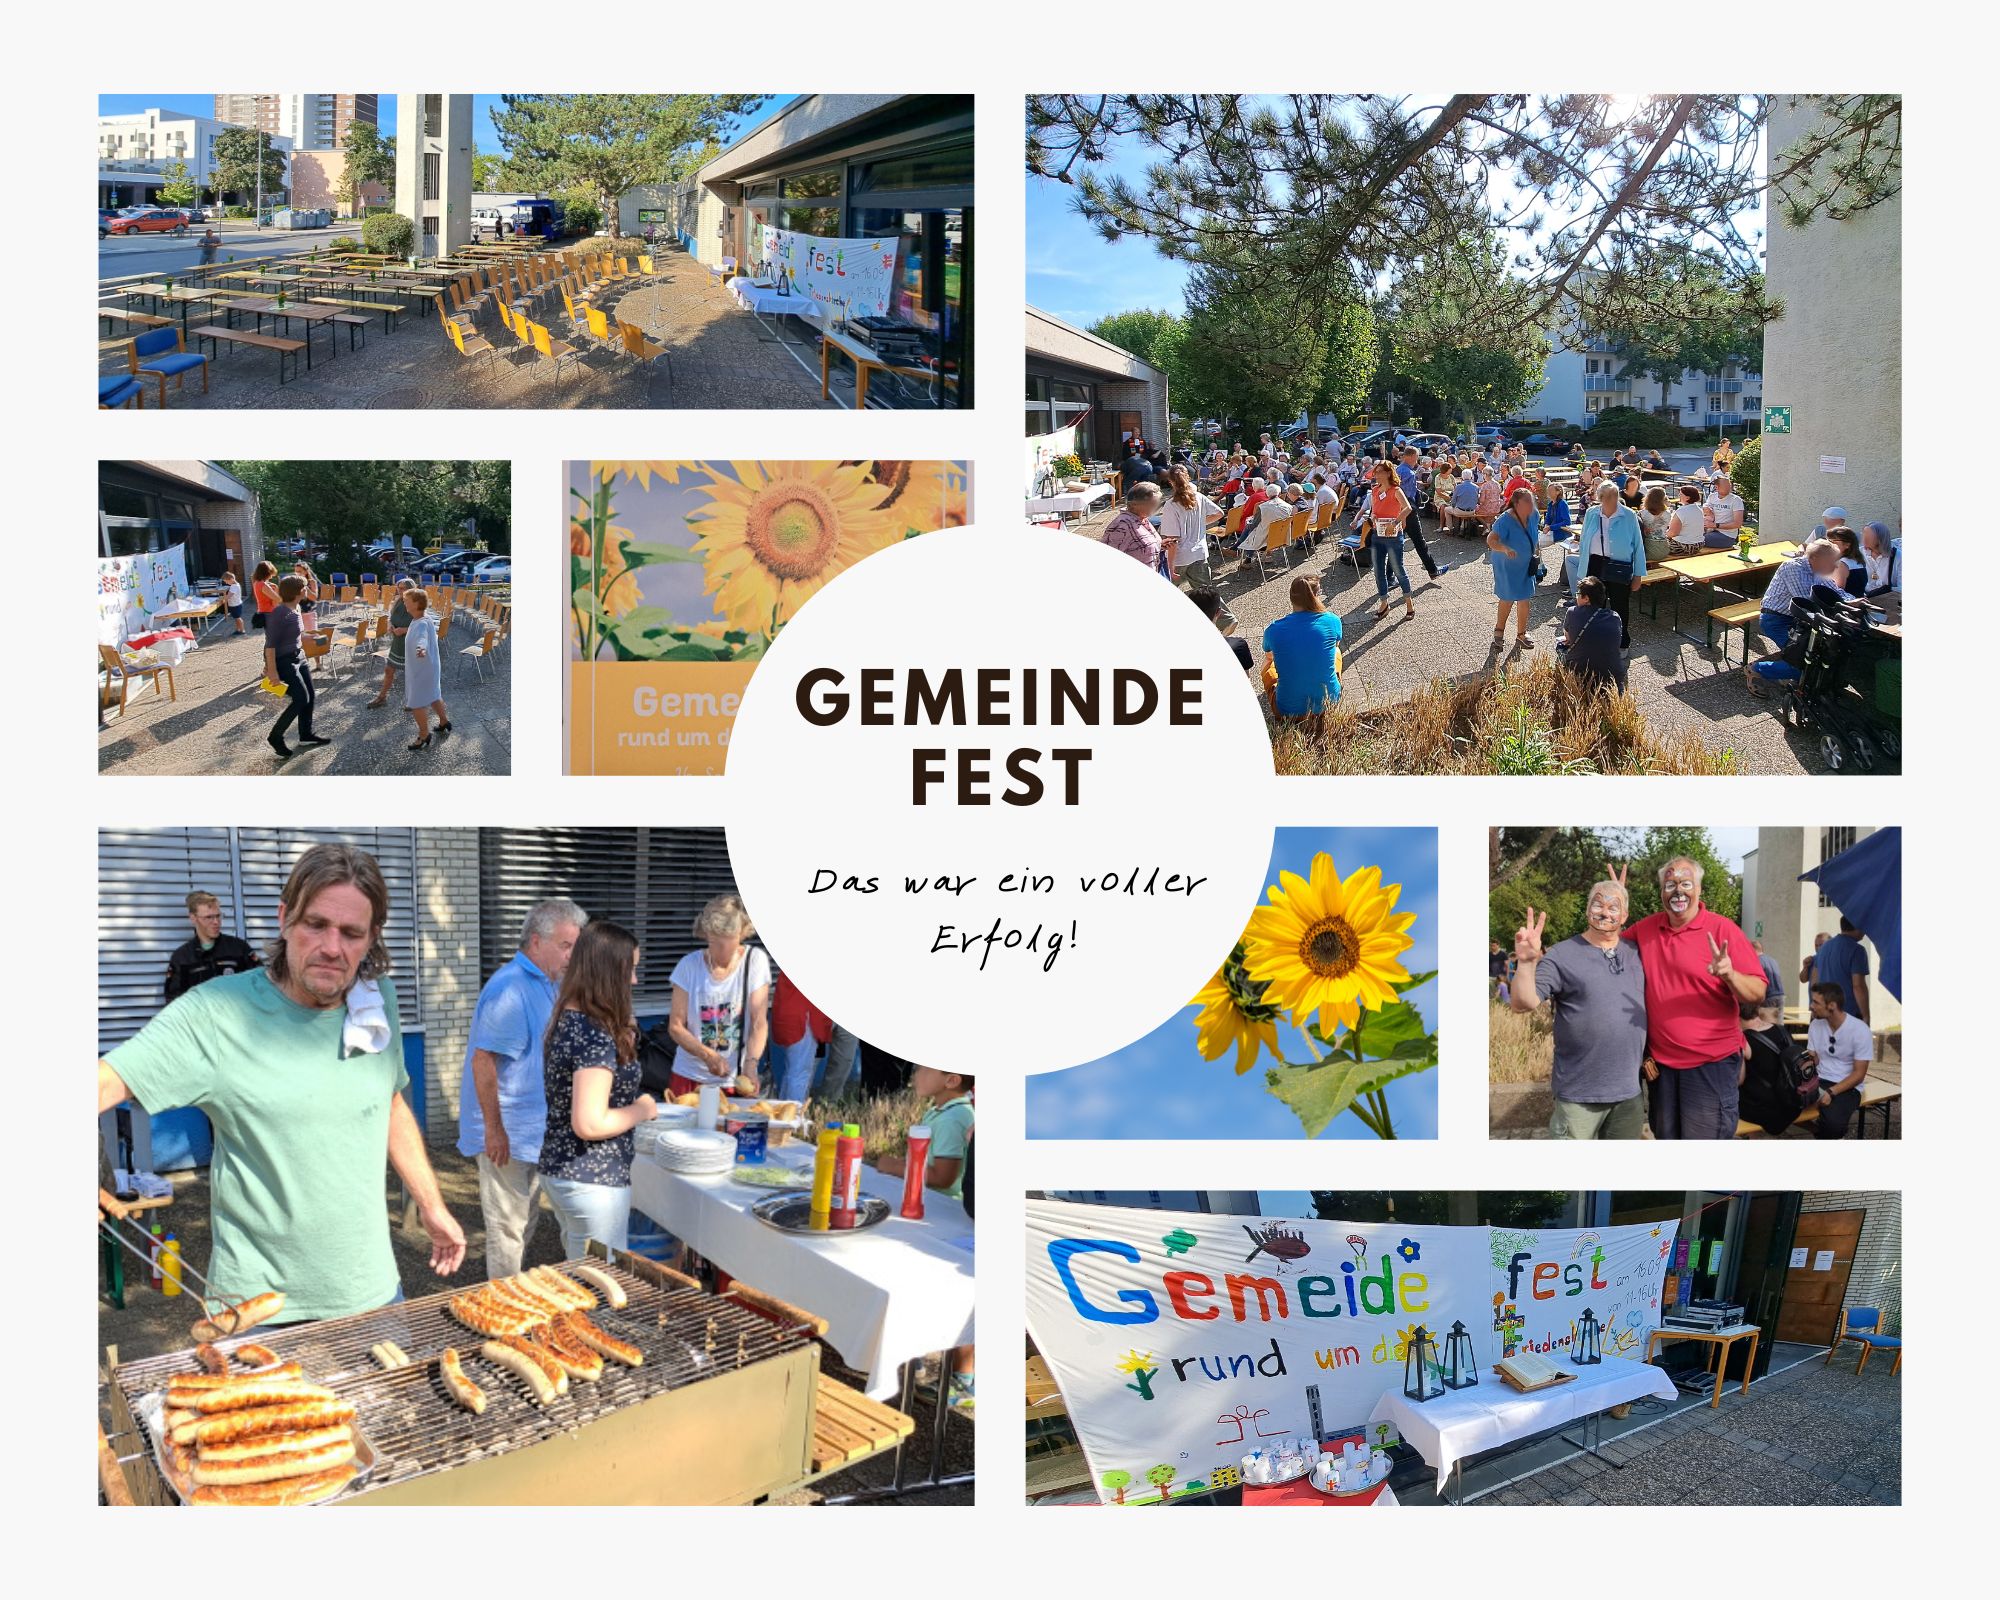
1679	683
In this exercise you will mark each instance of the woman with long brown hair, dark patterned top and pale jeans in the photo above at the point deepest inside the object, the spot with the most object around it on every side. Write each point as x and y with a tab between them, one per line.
593	1083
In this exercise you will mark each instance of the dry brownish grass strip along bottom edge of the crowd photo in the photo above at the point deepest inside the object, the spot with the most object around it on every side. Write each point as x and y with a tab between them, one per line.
1527	723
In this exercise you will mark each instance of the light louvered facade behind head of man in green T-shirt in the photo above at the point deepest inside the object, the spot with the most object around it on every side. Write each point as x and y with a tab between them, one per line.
145	877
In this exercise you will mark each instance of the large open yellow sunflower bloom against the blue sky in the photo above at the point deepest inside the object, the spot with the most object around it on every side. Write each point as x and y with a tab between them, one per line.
1329	947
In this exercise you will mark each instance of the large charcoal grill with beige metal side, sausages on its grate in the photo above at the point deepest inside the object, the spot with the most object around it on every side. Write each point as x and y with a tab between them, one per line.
721	1413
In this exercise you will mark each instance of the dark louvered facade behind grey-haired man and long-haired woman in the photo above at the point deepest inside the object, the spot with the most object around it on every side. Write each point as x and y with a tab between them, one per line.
649	879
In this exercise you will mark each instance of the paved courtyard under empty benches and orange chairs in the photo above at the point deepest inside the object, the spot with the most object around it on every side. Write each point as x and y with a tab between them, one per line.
719	357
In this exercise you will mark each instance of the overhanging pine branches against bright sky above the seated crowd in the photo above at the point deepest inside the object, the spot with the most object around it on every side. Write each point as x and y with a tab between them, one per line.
1593	195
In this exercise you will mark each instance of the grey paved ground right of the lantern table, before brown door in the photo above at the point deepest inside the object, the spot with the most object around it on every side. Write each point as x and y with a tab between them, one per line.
1815	1435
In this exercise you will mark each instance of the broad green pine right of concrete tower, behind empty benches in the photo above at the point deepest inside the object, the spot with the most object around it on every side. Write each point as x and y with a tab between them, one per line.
611	143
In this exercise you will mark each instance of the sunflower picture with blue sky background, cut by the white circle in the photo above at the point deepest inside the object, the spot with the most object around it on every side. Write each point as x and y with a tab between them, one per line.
1319	1023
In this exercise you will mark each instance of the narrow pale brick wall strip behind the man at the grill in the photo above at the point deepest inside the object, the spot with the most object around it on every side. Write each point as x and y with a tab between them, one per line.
449	955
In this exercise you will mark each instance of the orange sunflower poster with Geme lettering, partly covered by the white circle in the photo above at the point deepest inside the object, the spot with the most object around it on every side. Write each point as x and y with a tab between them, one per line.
683	573
